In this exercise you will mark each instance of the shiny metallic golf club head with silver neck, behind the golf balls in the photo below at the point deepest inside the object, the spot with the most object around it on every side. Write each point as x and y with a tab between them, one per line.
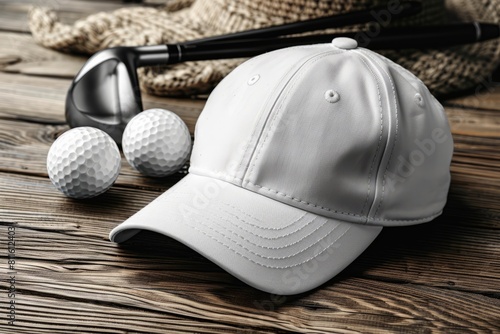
105	94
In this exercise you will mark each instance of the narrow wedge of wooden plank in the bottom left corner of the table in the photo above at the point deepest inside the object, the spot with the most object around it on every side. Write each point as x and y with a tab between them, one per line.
46	314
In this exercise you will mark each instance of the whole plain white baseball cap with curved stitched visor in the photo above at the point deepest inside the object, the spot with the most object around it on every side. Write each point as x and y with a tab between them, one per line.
301	157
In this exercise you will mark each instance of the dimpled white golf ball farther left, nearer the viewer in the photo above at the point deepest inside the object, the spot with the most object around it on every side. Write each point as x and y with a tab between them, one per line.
83	162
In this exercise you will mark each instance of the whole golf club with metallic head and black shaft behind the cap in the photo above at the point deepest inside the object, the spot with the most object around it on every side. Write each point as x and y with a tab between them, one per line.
105	93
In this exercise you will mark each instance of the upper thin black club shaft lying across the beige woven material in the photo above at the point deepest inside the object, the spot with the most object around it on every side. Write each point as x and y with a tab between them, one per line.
382	12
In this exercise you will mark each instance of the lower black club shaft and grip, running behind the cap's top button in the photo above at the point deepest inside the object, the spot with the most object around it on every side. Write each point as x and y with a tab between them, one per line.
393	39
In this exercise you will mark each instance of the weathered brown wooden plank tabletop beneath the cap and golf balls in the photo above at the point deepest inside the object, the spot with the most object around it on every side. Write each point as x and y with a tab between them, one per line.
438	277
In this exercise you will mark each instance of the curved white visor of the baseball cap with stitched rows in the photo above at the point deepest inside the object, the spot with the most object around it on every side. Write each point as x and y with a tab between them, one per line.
269	245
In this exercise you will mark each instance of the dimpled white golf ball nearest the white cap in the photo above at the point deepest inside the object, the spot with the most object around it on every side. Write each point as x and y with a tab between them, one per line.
156	142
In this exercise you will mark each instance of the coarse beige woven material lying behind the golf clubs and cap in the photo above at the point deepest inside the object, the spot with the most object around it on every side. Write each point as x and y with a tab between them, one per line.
444	71
